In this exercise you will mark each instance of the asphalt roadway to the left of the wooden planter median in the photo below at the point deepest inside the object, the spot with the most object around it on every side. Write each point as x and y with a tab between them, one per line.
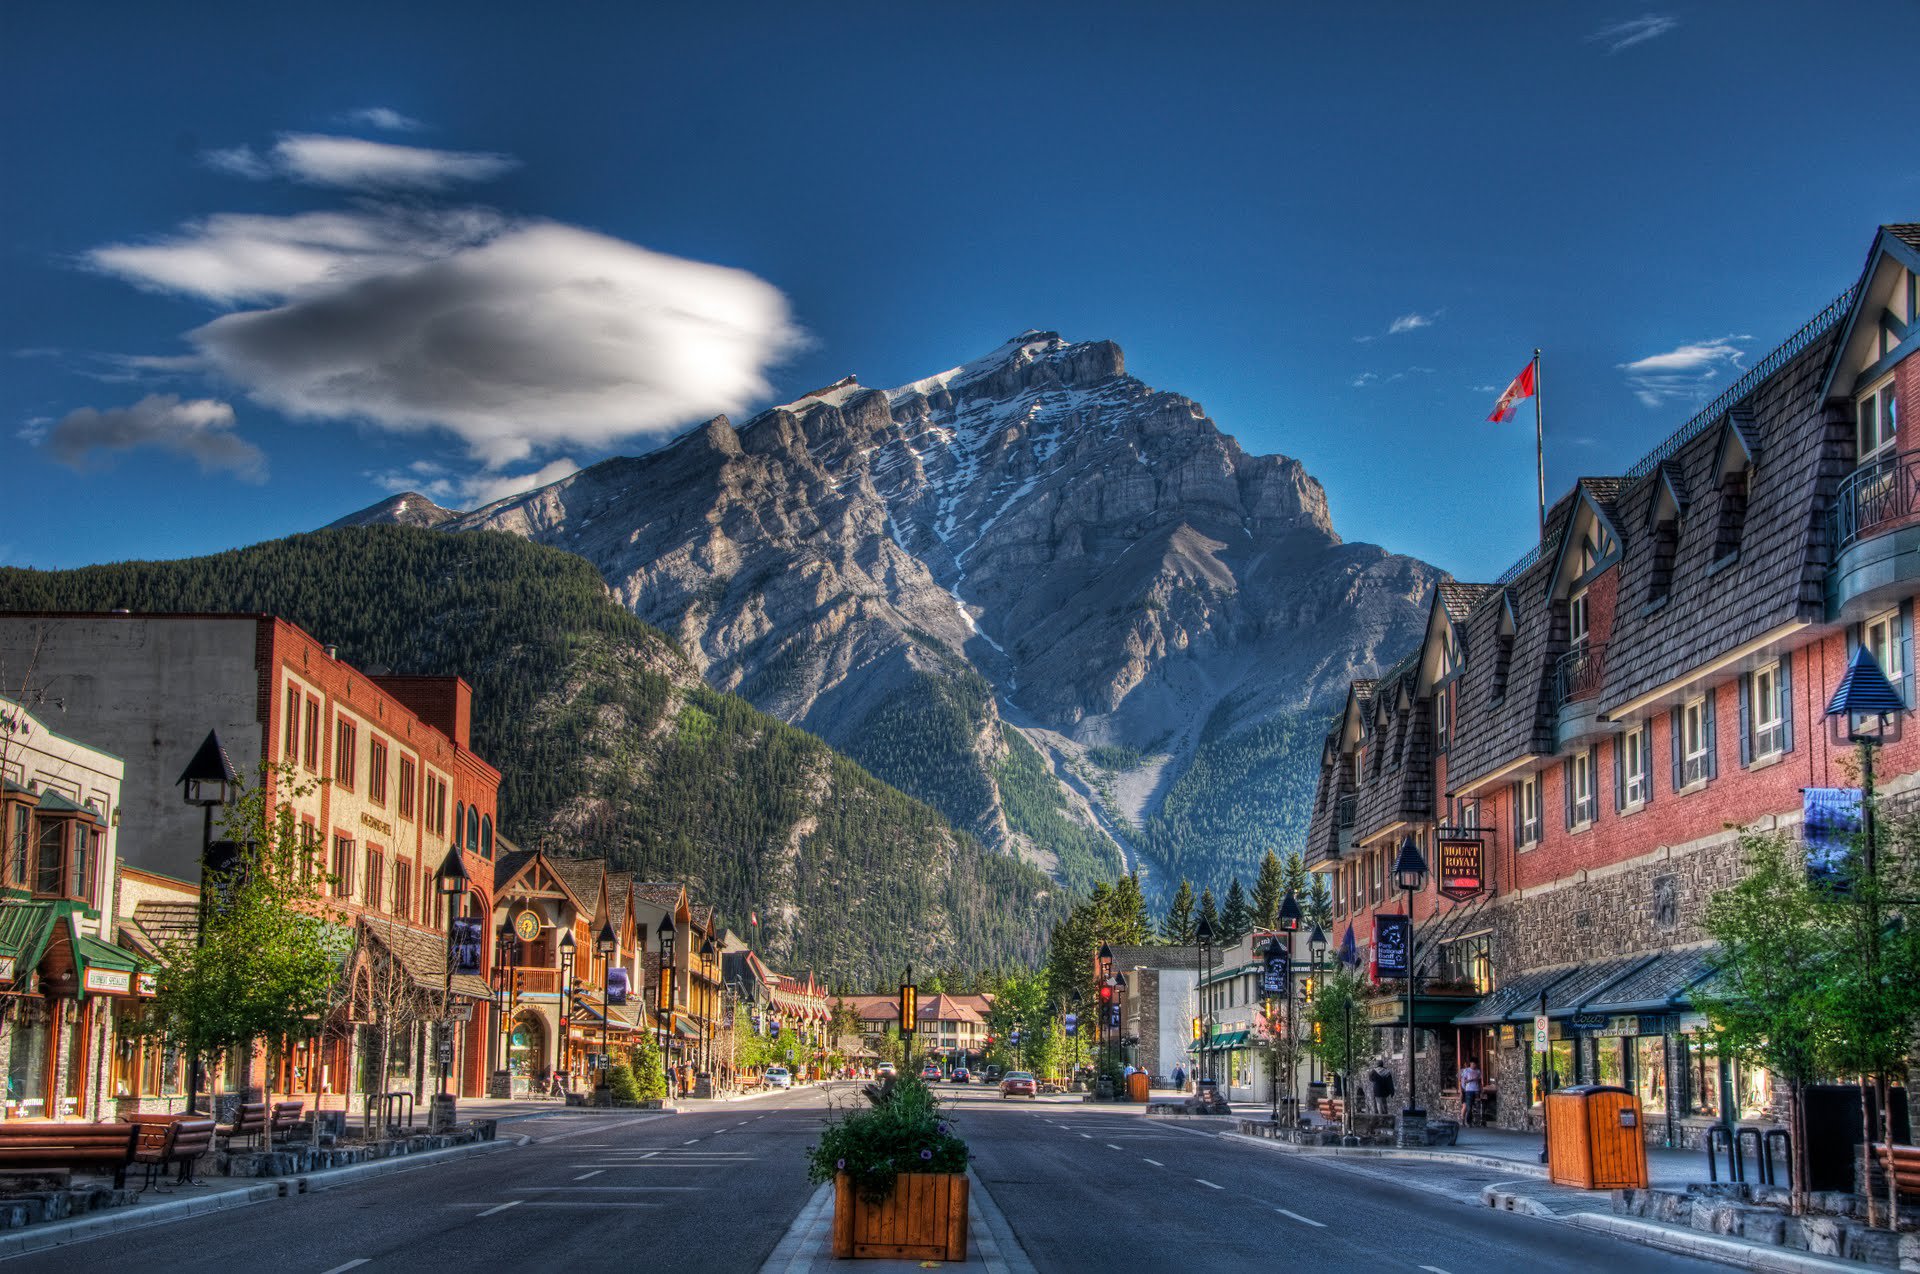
711	1191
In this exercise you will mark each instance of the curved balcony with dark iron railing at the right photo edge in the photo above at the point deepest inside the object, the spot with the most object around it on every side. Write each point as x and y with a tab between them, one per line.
1873	531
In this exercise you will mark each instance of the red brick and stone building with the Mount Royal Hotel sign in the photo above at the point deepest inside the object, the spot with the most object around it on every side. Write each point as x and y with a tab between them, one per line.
1604	719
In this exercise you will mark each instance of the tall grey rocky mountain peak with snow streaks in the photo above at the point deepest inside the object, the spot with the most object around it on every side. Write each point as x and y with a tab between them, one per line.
1045	598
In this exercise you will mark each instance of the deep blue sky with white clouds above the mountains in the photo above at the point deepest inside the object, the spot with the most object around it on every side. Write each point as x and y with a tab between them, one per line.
268	264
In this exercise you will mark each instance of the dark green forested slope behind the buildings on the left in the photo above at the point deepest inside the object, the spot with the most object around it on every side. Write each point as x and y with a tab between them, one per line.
612	743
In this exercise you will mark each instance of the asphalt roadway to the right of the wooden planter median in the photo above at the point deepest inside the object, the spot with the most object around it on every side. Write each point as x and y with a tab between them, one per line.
1090	1189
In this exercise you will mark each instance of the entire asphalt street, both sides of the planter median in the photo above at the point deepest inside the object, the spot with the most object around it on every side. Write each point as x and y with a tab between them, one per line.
1082	1187
